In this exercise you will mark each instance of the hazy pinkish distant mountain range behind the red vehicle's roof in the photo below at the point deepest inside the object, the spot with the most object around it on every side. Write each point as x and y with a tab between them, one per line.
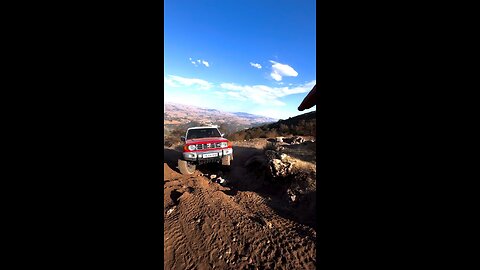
182	116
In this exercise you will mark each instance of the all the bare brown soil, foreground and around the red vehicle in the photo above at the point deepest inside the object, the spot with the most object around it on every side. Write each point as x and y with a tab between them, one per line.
244	225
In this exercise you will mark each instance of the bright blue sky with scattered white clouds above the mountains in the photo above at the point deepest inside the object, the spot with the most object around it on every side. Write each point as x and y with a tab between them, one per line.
240	56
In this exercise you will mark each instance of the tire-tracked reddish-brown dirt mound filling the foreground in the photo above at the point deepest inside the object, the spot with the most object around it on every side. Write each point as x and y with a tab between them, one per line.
208	229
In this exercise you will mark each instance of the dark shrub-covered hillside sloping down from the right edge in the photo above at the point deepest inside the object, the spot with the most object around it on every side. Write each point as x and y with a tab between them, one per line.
303	125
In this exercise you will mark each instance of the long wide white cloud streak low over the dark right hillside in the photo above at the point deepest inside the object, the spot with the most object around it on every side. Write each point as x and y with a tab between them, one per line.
265	95
